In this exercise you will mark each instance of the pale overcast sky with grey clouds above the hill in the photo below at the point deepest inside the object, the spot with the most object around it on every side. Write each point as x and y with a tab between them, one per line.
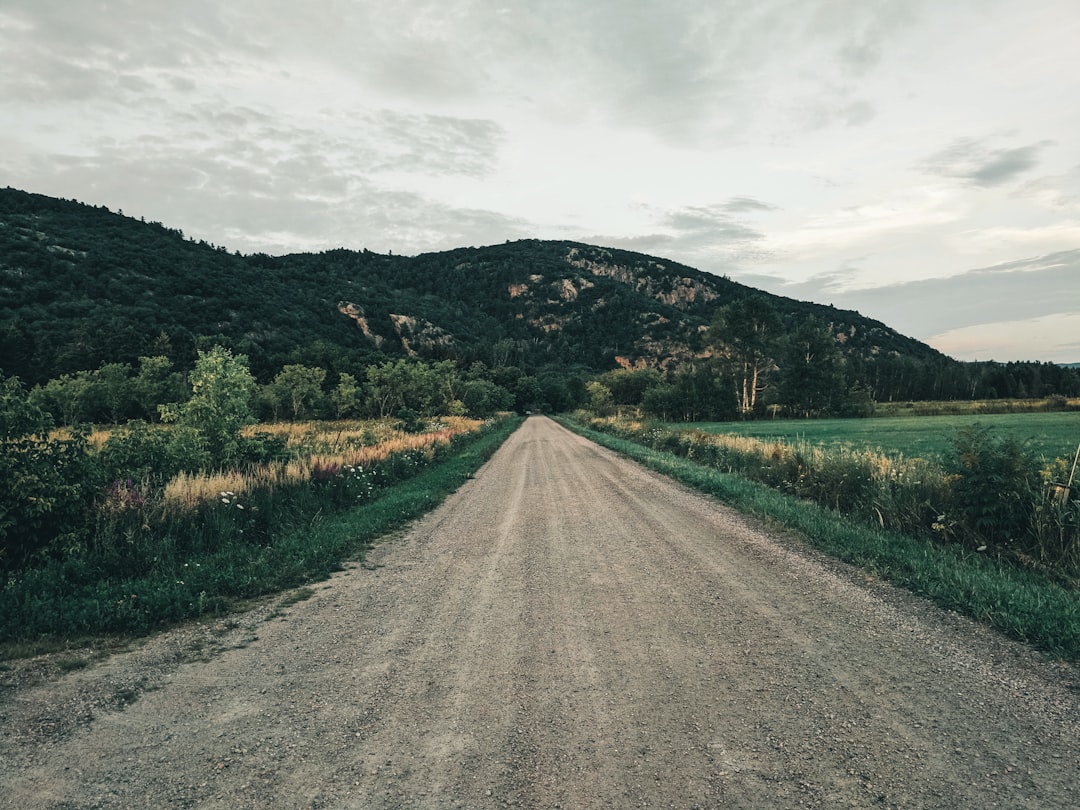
915	160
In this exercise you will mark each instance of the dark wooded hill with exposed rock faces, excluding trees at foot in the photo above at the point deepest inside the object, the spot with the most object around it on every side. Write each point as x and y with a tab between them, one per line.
82	286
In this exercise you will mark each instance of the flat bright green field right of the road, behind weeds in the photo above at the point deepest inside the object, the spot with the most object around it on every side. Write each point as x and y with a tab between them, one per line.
1052	436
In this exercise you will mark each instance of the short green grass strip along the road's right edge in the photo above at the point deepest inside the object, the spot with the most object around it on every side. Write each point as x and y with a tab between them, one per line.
1020	603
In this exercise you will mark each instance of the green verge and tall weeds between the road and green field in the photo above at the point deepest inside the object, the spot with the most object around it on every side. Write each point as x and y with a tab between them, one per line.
991	530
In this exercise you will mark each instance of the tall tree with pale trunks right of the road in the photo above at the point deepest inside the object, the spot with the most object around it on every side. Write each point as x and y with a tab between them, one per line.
746	334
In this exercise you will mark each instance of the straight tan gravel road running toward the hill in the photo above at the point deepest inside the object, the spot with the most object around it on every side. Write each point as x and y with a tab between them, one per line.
568	631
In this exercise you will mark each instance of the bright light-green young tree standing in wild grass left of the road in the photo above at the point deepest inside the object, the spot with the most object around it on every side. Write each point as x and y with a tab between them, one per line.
221	404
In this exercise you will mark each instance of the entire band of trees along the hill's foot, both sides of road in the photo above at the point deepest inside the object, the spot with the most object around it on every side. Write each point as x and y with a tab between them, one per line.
753	364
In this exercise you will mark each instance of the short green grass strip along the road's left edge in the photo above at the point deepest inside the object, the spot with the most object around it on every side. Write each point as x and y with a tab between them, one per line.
72	600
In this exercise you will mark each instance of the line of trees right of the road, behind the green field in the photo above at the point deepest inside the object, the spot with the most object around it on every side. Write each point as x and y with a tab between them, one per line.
757	366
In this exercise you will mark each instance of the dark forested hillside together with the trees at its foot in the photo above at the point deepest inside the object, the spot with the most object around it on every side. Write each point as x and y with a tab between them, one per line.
103	317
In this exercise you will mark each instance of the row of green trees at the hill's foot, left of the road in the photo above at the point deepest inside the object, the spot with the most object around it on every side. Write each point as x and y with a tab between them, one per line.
155	389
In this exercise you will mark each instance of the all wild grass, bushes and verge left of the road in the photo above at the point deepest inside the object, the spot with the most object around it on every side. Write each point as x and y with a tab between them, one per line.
126	530
